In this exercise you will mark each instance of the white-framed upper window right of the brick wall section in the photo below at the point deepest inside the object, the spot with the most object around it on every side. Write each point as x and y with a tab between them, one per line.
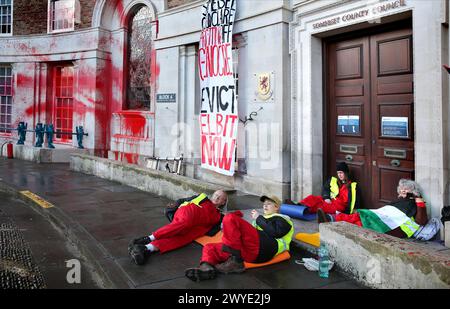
63	15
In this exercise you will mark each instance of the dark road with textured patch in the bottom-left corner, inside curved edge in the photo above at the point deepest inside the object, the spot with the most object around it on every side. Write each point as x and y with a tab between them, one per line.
34	253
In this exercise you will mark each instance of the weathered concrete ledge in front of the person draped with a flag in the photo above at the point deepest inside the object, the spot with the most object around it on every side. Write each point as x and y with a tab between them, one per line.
382	261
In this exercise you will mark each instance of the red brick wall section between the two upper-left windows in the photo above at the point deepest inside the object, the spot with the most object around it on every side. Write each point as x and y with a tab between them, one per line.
30	17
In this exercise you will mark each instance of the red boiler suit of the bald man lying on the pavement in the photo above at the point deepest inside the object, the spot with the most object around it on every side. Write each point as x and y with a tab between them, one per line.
189	223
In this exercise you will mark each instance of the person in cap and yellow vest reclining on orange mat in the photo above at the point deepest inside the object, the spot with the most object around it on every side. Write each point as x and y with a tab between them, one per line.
269	236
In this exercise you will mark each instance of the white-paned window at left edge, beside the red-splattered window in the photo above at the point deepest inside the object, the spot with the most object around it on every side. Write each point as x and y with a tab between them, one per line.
5	98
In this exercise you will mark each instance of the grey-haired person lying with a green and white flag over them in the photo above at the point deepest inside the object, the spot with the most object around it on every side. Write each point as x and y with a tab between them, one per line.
401	218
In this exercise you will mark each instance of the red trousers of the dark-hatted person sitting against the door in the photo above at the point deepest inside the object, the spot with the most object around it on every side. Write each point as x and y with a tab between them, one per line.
337	204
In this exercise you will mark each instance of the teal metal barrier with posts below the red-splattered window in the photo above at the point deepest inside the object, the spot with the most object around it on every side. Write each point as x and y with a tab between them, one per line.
48	130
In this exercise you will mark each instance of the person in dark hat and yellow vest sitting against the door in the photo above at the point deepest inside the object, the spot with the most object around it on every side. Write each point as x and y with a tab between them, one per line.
339	194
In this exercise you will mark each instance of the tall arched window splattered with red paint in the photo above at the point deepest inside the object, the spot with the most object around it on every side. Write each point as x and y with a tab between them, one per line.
139	60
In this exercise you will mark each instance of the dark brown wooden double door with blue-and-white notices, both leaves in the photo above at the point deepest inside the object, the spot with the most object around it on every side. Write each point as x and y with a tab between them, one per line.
370	112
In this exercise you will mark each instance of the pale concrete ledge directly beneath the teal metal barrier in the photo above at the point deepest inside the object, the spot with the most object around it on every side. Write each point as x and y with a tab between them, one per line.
46	155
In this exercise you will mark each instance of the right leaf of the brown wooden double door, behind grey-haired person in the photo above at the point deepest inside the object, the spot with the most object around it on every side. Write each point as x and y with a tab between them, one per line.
392	97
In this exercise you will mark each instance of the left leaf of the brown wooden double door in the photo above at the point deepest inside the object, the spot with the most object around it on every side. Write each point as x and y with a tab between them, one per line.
349	96
